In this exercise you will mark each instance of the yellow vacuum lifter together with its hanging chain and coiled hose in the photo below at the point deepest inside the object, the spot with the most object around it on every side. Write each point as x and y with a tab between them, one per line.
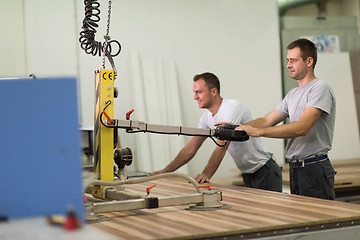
105	137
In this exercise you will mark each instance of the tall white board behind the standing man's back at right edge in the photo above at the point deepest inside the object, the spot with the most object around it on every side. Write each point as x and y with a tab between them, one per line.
335	69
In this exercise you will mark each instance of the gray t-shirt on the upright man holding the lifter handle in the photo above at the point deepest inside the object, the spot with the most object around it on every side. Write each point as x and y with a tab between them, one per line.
319	139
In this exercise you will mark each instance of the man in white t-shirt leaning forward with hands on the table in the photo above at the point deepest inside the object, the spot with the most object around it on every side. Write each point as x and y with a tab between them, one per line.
258	168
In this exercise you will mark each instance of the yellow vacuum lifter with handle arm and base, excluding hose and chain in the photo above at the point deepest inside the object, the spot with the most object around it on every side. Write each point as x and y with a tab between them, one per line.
106	154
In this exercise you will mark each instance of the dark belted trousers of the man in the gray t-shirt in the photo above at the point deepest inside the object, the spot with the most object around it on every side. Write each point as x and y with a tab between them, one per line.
313	180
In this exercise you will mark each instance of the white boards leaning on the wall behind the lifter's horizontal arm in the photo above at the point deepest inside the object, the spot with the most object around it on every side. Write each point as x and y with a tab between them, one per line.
157	102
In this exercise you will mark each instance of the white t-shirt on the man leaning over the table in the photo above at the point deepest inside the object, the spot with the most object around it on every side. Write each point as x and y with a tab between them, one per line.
249	156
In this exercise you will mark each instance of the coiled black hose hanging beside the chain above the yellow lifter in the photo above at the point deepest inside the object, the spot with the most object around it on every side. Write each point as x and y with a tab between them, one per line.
87	35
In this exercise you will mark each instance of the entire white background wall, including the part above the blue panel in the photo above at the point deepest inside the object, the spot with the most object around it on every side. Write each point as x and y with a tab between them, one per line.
236	39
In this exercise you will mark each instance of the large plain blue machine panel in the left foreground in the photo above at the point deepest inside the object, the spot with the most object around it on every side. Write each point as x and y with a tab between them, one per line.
40	150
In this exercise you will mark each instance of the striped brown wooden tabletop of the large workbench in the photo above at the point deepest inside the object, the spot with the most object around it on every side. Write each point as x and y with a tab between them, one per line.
253	213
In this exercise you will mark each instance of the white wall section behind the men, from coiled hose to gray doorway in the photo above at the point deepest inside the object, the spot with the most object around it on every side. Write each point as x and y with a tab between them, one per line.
193	37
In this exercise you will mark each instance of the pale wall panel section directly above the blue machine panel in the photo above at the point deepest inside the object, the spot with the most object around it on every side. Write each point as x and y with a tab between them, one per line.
50	37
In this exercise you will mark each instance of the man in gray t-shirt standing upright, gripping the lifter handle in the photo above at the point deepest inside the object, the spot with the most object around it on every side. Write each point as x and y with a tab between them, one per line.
311	108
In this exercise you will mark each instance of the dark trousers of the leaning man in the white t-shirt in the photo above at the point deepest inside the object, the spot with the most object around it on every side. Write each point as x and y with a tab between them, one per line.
268	177
